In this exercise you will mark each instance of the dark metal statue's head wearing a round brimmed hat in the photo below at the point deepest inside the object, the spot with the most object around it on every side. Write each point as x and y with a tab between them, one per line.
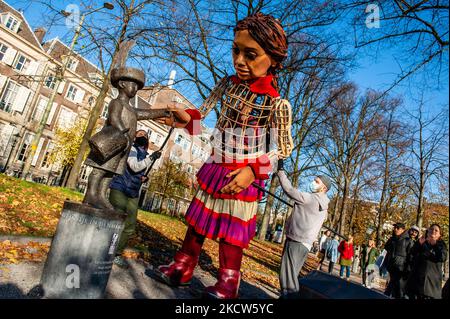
129	80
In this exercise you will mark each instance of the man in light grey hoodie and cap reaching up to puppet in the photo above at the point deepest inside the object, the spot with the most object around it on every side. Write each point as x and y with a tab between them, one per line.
302	228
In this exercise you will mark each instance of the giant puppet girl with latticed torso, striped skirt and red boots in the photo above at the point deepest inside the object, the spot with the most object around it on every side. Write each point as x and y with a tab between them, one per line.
250	106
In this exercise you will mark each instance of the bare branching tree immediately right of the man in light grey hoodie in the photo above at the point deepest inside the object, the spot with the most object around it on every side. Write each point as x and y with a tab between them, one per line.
350	132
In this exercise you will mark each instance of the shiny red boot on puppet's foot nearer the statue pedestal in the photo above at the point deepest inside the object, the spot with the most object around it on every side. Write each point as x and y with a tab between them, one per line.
179	272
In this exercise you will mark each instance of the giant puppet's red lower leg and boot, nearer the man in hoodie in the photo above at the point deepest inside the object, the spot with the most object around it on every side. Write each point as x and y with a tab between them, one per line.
229	276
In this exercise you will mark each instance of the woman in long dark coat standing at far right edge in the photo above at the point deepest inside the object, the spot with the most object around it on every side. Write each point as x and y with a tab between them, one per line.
427	256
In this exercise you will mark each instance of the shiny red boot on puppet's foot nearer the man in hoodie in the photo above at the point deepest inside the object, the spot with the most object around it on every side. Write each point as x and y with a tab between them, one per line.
227	285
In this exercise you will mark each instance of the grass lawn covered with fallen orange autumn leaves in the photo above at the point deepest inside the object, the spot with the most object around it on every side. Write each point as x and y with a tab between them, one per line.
32	209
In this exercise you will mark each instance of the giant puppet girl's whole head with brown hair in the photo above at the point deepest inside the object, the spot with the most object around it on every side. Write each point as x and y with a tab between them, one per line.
259	47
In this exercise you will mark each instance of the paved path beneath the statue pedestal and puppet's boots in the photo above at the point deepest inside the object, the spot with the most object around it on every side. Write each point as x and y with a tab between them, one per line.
136	282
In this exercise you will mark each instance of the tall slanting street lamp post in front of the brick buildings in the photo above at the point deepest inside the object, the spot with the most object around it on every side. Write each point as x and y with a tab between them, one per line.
59	78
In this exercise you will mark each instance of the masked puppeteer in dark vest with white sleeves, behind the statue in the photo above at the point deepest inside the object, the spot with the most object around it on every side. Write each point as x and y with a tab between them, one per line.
124	189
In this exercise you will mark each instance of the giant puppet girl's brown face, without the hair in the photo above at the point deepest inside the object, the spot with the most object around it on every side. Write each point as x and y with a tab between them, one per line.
249	58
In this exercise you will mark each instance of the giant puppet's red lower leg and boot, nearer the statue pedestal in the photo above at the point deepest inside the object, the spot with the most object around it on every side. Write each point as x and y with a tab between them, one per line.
180	271
